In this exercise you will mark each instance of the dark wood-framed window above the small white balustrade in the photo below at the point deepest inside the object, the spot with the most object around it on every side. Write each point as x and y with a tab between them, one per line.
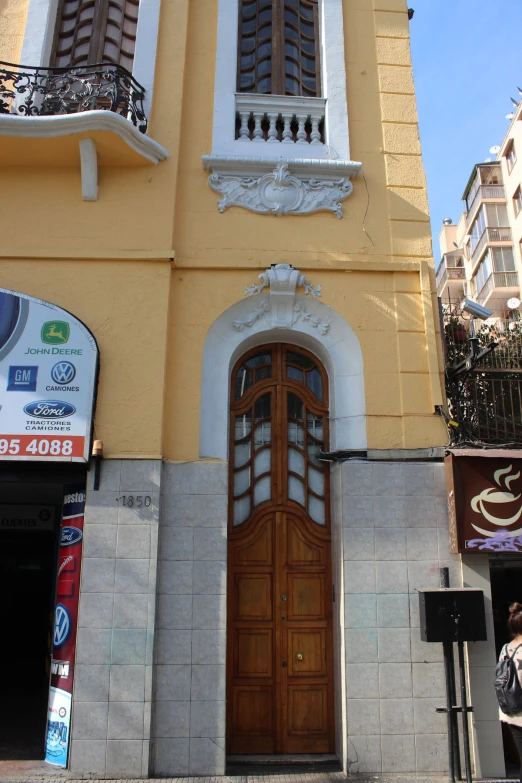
278	47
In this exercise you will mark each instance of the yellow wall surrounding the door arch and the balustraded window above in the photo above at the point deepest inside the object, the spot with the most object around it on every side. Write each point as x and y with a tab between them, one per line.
385	226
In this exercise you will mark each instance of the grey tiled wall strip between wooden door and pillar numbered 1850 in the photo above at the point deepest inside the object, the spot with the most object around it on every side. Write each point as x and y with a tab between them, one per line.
189	683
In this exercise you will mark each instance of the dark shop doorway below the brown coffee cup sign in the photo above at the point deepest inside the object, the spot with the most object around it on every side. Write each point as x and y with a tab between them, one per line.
506	587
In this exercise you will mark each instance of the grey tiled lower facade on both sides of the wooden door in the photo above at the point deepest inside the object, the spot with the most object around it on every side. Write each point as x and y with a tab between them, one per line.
150	683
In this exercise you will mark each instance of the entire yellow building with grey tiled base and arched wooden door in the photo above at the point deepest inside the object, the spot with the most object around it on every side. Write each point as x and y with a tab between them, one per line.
218	273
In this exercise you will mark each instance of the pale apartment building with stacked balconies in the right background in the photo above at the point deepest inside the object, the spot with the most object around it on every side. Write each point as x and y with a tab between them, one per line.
481	255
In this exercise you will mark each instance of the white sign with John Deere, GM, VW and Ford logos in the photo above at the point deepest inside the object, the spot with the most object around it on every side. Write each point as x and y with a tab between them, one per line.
48	370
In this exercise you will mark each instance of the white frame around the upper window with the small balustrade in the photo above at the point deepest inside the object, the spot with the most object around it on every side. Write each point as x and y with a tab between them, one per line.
333	77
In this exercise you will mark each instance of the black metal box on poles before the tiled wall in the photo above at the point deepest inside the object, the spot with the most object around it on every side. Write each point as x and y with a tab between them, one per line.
452	614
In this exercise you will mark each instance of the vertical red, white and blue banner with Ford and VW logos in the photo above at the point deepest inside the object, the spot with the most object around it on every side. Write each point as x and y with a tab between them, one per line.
64	631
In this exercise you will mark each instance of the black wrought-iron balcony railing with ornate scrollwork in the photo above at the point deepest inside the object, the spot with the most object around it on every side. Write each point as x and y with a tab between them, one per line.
42	92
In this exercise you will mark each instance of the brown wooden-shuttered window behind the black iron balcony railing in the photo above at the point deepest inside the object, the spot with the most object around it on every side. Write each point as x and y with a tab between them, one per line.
95	31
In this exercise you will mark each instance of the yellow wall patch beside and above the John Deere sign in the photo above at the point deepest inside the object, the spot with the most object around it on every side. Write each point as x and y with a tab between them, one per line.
125	305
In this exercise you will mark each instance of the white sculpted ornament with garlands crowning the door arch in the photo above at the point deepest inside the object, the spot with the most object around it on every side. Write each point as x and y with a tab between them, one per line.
281	307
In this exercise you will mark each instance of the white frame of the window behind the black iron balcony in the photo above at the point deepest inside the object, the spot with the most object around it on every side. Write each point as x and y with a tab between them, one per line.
39	32
